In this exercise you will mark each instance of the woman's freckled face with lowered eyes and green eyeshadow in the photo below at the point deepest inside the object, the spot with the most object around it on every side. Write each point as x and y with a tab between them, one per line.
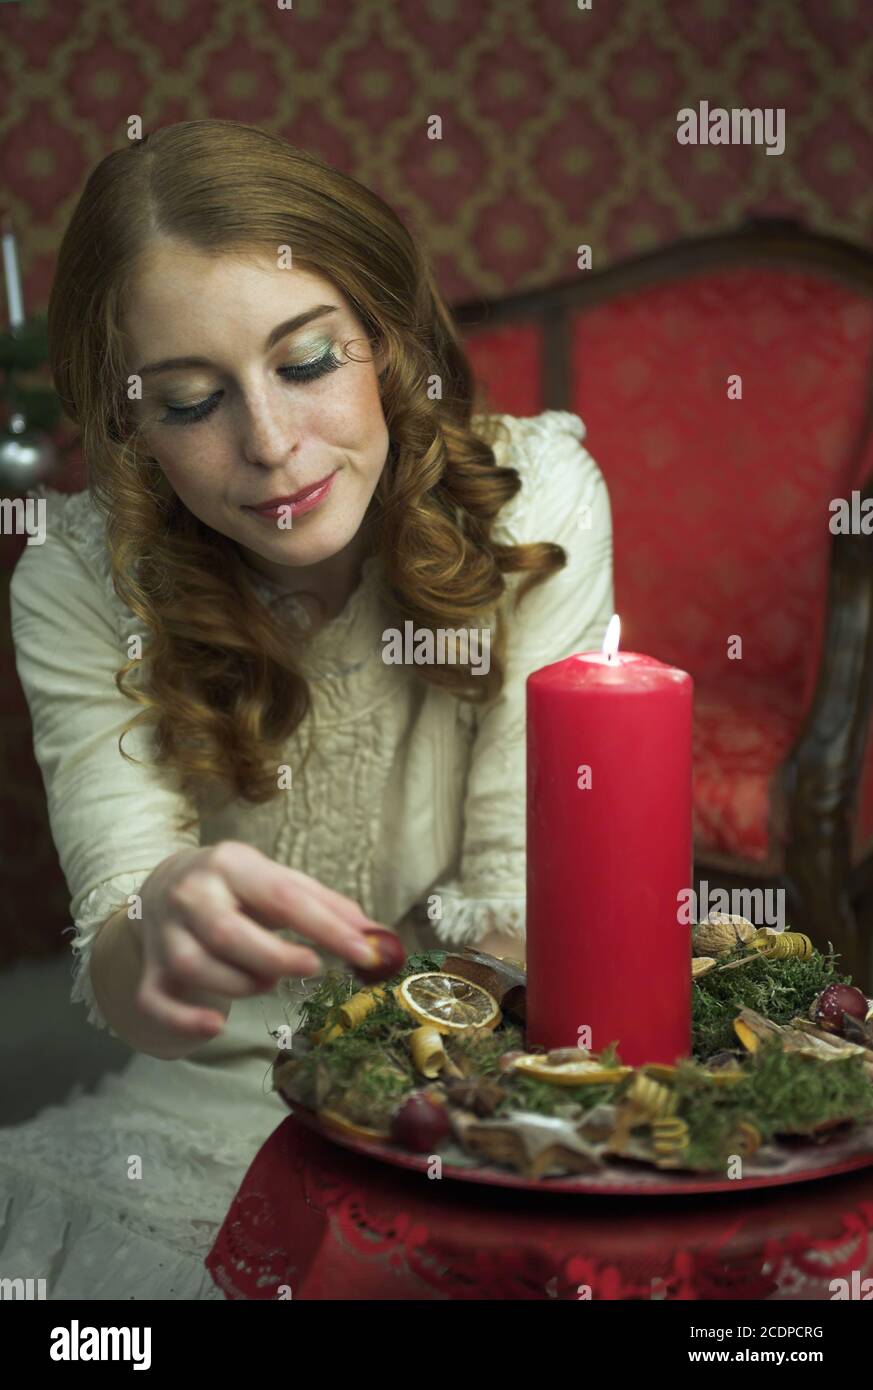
243	404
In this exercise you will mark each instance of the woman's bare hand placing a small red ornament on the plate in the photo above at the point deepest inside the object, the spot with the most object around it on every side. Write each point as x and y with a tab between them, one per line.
208	933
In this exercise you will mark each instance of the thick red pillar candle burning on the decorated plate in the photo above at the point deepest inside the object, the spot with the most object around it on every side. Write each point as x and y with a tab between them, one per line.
608	854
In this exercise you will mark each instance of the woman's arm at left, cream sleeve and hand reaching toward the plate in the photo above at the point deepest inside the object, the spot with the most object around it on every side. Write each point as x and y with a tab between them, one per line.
211	915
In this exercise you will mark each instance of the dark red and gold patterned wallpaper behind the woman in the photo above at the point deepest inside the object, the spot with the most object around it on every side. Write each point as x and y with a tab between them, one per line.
558	123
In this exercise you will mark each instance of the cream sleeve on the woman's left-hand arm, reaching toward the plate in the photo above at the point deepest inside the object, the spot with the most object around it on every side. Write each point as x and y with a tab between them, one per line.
112	821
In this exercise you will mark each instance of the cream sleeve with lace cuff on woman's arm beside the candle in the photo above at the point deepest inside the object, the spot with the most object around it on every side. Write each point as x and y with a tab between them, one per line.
564	498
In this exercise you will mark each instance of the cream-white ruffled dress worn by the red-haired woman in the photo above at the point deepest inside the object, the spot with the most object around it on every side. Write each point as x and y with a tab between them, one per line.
407	793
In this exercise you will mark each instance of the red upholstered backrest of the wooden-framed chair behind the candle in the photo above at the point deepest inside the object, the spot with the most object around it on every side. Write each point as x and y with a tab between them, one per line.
721	507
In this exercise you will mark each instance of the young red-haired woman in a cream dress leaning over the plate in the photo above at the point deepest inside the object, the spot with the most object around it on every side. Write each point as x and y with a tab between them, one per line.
286	471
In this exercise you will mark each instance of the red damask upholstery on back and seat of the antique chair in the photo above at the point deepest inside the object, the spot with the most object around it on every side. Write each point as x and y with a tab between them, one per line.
722	511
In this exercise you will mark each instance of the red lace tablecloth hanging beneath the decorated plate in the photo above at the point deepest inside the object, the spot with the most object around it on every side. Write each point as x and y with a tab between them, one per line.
322	1223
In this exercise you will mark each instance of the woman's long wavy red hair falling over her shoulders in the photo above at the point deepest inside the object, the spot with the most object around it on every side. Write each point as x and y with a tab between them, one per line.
218	679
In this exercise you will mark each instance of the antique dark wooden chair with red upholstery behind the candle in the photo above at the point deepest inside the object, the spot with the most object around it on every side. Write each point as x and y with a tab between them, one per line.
722	529
